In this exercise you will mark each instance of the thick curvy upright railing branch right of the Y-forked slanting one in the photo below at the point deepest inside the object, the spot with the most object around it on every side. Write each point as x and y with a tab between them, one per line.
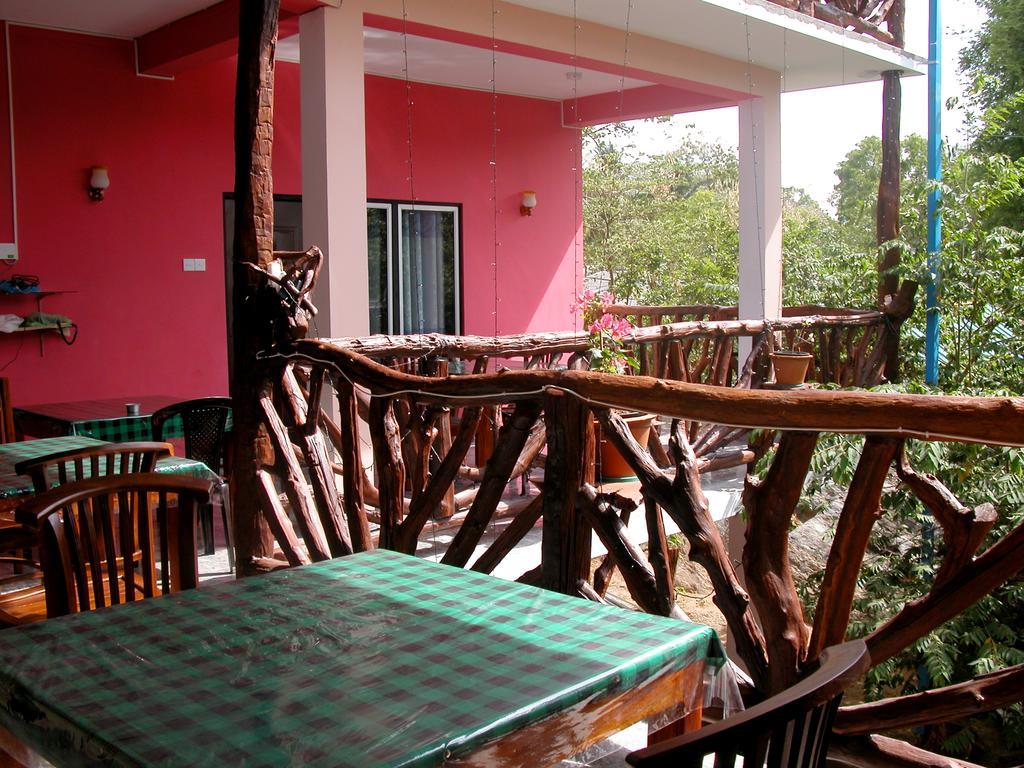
766	558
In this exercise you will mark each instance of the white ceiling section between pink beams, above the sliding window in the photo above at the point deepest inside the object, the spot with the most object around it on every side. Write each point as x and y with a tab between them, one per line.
468	67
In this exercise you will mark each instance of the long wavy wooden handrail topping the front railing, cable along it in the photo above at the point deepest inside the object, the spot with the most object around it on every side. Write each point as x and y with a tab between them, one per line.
986	420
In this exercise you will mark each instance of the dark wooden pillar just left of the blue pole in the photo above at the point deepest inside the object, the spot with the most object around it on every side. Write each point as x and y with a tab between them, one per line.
887	215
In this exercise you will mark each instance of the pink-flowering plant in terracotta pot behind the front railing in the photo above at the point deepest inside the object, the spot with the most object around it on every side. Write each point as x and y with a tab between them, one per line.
609	355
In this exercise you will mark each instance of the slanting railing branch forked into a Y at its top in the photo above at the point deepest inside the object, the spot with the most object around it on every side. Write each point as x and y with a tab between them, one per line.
684	500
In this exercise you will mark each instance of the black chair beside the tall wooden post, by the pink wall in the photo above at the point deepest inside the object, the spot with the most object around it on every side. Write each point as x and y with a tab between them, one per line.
204	425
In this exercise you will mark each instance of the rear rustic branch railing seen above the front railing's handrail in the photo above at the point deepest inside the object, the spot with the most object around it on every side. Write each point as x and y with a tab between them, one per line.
692	345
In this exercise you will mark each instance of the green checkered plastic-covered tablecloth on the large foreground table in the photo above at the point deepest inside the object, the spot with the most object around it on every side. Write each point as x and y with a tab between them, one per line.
373	660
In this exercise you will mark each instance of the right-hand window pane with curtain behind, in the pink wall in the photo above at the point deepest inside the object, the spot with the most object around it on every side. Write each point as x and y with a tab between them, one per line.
429	272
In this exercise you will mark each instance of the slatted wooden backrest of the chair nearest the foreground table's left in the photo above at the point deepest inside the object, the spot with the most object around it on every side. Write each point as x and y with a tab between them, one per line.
117	539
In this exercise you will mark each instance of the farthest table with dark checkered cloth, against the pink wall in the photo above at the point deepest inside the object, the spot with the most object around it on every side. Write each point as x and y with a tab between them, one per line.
105	420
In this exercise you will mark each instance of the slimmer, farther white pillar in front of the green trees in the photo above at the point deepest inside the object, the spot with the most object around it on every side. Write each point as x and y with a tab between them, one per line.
760	211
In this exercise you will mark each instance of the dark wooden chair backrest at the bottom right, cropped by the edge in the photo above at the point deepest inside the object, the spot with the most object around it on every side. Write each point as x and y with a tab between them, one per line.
790	730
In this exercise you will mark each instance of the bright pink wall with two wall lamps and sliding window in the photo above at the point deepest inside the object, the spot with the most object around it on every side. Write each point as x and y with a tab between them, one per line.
148	327
